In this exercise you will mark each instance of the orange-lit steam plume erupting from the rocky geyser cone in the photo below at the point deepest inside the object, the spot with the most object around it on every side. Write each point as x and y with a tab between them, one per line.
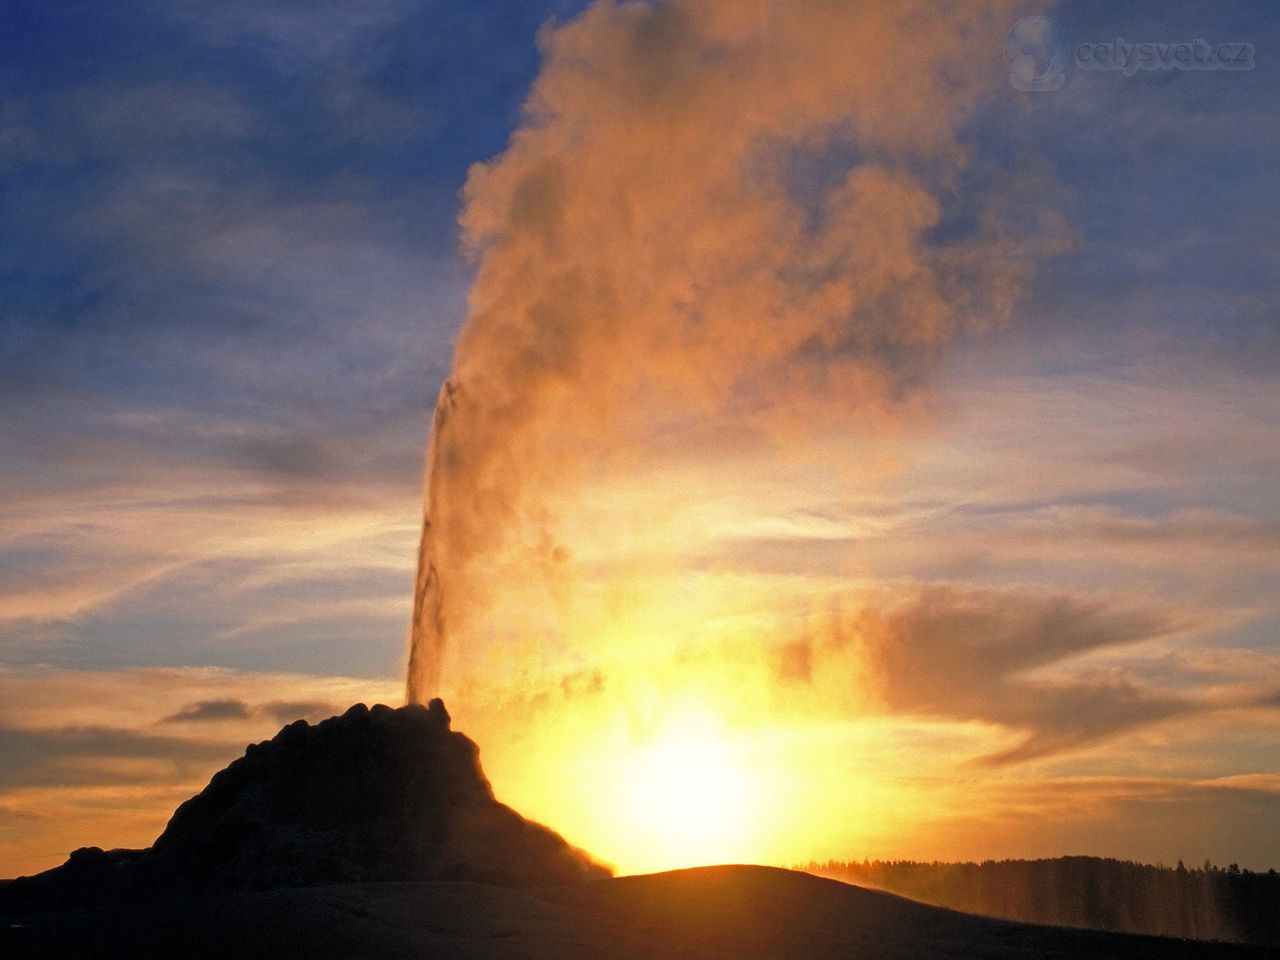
719	220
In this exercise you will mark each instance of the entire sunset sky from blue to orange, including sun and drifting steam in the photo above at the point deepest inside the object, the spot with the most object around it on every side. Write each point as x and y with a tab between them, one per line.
998	583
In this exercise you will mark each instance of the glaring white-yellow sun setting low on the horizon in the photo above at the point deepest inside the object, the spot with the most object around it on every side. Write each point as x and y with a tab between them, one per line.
687	799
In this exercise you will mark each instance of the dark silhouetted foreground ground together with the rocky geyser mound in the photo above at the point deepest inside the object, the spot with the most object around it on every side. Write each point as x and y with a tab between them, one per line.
377	835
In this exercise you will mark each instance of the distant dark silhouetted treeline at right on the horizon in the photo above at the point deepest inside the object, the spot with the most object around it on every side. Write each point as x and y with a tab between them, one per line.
1208	903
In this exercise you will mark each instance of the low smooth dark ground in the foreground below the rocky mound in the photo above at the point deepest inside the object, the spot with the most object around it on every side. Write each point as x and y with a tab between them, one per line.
720	912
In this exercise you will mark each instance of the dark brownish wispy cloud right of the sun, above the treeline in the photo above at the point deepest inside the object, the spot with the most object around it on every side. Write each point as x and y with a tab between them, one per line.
998	657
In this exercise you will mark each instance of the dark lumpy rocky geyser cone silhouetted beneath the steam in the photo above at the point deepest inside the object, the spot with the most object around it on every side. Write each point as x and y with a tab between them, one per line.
373	796
